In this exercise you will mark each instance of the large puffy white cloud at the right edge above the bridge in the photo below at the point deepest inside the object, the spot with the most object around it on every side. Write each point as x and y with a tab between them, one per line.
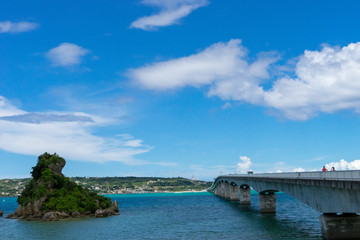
326	81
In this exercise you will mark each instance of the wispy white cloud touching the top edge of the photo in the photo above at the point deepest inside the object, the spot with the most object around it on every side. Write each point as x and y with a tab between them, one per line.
170	12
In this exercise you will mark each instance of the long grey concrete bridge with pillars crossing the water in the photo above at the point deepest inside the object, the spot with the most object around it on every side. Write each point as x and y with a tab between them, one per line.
336	194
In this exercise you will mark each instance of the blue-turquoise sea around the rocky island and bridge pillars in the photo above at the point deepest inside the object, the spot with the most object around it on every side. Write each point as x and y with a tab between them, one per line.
174	216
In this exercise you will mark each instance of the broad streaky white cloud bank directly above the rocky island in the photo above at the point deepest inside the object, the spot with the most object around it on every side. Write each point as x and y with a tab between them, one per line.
68	135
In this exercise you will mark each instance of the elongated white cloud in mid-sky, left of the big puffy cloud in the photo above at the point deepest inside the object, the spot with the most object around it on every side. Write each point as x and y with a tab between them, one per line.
223	66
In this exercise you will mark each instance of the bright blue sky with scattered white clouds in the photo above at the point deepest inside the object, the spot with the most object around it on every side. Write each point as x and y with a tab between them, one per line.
189	88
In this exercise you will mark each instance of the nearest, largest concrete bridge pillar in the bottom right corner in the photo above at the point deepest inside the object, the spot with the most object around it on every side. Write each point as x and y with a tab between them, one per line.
344	226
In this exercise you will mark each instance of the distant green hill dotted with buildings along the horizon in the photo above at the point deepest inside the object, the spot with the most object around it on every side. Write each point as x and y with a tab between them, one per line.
115	185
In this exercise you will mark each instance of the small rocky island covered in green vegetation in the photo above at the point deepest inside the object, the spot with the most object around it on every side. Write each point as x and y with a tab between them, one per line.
50	196
